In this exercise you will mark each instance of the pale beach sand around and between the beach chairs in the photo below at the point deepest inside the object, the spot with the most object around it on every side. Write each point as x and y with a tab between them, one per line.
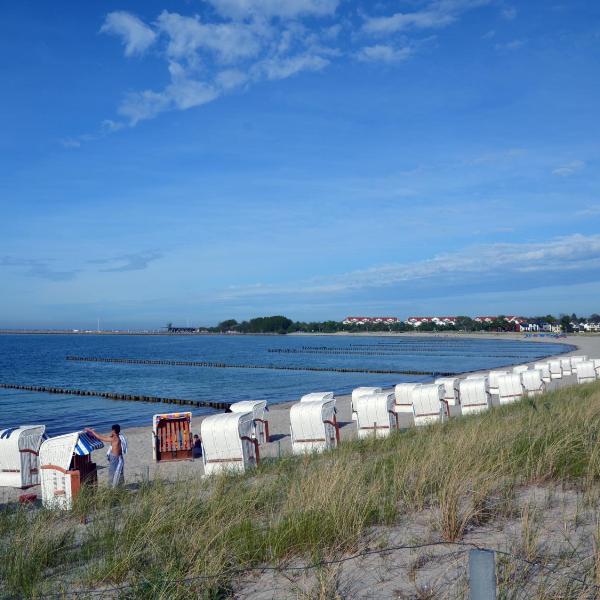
140	464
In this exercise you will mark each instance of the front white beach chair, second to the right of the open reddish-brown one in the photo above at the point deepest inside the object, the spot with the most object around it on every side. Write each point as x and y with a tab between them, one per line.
313	426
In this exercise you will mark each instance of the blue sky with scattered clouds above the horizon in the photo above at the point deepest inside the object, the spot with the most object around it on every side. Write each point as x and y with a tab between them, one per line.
200	160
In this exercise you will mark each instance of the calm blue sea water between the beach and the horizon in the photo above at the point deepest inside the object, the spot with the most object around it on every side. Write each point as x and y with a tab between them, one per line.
40	360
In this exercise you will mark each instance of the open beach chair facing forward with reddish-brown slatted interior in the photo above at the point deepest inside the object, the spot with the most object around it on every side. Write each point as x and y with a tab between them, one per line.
172	436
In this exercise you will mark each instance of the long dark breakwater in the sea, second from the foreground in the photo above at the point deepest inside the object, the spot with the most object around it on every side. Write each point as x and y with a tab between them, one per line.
219	365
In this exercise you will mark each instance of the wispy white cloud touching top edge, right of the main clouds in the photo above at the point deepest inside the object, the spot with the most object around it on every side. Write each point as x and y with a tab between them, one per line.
435	14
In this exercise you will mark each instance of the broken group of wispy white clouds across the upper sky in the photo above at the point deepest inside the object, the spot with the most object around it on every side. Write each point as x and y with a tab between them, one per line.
249	41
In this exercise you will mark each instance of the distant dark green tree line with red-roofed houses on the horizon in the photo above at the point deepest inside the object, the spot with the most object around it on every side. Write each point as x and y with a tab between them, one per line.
282	325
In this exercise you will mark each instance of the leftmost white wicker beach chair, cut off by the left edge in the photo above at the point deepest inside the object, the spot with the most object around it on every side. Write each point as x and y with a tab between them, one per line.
19	450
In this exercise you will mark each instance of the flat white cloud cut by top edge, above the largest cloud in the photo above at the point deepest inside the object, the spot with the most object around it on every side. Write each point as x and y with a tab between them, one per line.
241	9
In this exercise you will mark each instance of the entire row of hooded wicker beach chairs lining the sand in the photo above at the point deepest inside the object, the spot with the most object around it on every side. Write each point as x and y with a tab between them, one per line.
231	441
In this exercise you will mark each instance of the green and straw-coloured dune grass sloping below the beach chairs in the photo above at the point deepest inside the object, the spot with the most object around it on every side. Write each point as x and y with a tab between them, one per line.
301	508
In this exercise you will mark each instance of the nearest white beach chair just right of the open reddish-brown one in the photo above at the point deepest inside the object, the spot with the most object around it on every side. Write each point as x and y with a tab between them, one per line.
228	444
